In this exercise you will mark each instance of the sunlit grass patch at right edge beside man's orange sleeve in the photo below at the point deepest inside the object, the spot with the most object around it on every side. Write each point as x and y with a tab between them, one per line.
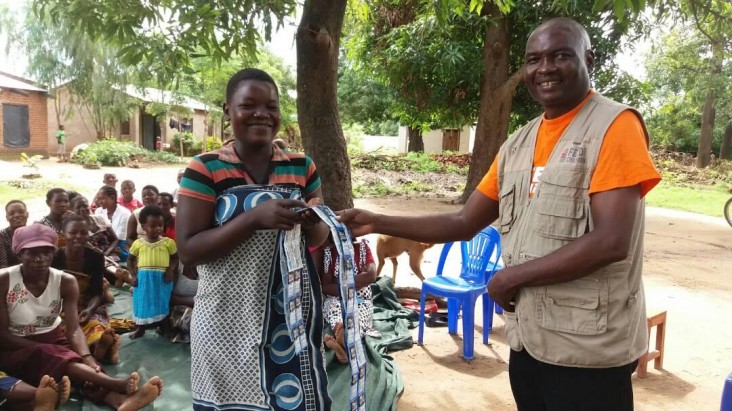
695	198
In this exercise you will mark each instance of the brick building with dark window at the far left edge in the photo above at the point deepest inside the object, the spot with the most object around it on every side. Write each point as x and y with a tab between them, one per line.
24	118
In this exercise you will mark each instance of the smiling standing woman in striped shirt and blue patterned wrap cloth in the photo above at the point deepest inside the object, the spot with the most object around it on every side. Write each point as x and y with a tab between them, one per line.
235	206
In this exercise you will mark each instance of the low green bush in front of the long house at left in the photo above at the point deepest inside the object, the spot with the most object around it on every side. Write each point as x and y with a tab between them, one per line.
111	152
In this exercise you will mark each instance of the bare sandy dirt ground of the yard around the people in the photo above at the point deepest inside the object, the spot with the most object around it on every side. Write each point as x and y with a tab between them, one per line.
687	273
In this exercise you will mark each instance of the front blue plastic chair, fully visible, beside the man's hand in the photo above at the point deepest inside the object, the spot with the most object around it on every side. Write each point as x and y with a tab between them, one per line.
480	257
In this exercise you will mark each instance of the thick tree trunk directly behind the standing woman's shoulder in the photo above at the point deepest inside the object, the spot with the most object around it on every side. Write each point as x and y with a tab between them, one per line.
318	41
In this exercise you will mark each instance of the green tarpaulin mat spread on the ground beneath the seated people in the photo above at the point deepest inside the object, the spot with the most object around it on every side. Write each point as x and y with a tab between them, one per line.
154	355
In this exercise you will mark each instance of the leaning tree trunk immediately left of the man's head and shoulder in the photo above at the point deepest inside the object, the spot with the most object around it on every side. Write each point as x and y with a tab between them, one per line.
496	95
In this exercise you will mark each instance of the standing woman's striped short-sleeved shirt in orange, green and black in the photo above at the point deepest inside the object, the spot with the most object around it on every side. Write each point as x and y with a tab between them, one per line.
210	174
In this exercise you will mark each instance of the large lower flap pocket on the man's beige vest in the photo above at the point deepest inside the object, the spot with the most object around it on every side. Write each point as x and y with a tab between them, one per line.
578	307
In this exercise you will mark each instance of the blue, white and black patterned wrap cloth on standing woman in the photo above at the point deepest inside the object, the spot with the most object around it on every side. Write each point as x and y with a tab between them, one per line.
242	354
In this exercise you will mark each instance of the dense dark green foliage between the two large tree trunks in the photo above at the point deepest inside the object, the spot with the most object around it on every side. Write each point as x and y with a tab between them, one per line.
432	66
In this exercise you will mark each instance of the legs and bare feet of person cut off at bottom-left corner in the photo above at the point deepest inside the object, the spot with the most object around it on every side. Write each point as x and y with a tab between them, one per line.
21	396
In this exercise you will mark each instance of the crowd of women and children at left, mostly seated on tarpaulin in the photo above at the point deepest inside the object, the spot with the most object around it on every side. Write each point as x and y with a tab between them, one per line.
55	331
